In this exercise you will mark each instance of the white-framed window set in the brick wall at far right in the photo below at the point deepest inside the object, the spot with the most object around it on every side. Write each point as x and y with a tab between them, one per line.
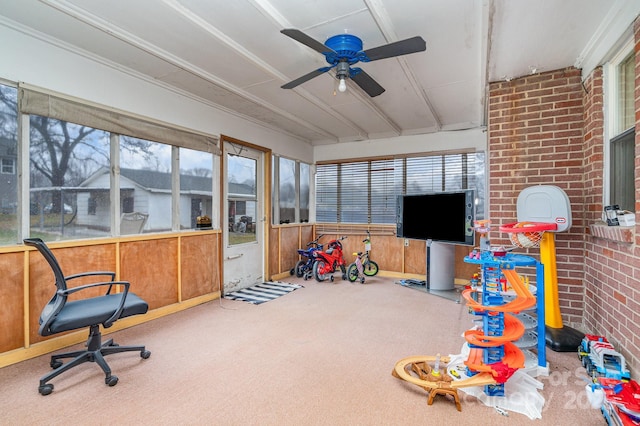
621	128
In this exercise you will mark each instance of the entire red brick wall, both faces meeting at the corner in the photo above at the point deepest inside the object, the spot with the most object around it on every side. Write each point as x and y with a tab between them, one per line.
549	129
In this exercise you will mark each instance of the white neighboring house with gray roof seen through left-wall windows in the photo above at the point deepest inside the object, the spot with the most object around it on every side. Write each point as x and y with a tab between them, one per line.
144	191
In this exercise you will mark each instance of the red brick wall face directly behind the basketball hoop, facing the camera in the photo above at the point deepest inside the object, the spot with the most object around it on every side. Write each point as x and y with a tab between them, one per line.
536	137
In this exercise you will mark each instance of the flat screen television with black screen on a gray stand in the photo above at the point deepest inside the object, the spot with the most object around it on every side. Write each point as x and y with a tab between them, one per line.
439	216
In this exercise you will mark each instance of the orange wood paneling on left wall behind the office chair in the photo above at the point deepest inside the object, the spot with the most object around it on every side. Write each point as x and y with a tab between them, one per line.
172	272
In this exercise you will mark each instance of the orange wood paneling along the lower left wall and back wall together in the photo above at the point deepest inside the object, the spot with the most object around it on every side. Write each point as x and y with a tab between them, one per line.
173	272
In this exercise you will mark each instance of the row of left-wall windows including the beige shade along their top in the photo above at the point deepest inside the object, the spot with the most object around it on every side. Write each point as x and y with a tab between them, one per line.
71	176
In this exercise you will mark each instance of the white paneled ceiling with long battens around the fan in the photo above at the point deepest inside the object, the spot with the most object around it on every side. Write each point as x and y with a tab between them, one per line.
232	54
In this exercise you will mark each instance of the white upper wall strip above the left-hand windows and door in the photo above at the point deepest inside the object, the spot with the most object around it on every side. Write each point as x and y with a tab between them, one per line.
30	60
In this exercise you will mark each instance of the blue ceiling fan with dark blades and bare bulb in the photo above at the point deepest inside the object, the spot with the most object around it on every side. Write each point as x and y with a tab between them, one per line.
344	50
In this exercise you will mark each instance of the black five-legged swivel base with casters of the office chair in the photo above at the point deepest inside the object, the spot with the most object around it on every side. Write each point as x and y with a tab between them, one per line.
95	352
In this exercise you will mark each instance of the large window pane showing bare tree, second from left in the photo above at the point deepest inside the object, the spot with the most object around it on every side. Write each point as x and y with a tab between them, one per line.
68	165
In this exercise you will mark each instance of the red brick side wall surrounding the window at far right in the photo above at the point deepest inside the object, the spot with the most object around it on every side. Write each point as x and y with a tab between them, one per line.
612	269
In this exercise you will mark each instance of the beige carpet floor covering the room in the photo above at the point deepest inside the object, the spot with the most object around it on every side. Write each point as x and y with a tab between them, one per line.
321	355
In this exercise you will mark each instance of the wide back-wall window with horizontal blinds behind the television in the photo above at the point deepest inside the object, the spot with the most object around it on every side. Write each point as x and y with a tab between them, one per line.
366	191
